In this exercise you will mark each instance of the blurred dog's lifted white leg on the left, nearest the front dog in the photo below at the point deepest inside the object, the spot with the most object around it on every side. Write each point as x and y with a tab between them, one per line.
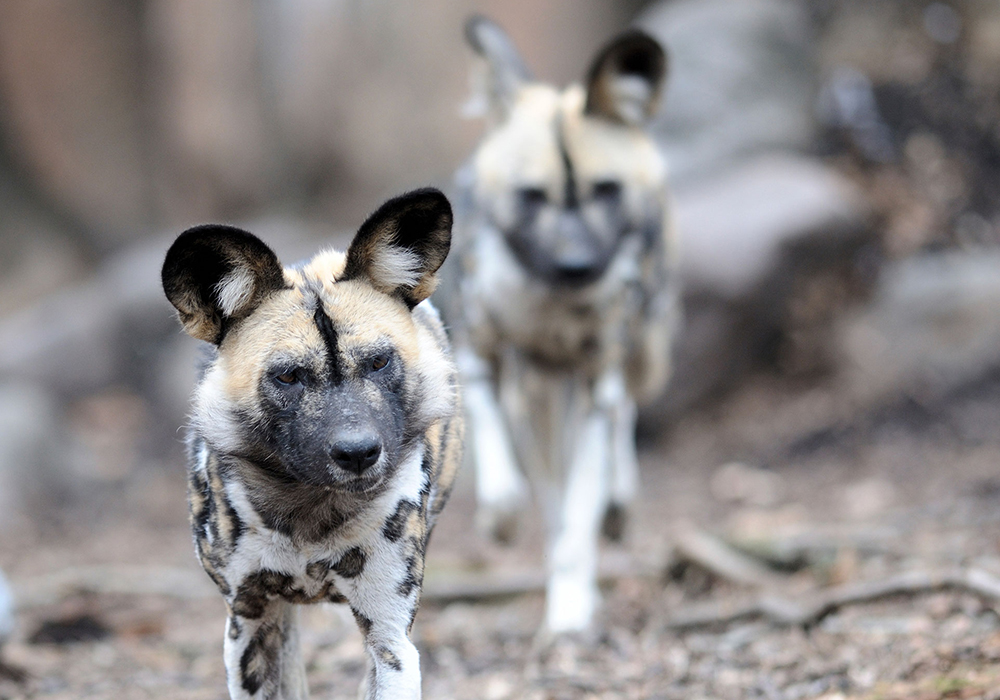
501	490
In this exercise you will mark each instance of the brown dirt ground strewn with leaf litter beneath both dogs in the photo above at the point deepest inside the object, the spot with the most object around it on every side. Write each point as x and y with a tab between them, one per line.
836	496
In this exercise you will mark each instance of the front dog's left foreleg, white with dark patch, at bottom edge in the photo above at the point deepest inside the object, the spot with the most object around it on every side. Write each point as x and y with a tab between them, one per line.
263	660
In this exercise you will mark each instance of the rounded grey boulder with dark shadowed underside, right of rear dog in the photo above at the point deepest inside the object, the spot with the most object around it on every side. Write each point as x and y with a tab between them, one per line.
756	242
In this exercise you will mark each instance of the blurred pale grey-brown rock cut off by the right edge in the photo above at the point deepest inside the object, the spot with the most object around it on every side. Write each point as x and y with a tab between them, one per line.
932	326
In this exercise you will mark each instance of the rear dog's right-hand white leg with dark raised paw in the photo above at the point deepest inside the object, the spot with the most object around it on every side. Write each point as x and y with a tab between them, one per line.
612	393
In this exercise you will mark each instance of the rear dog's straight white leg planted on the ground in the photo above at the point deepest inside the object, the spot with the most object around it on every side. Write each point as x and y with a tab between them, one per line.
572	595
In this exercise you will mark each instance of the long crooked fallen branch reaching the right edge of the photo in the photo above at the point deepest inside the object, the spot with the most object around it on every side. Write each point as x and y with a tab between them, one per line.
813	608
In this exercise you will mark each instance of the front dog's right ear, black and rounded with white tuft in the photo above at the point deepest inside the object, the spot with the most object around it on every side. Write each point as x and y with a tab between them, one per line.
399	249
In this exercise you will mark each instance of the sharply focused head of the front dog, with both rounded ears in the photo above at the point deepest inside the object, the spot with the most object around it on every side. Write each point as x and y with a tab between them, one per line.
323	374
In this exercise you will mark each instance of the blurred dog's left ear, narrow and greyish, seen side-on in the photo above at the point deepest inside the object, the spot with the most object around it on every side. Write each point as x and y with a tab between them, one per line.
505	71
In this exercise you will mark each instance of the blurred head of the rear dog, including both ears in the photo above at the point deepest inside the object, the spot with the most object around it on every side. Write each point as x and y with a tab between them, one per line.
566	174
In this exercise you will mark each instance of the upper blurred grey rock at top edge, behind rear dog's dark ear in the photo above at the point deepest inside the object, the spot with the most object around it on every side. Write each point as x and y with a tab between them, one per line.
742	80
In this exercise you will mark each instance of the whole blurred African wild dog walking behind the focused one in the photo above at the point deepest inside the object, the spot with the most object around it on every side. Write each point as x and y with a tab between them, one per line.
564	240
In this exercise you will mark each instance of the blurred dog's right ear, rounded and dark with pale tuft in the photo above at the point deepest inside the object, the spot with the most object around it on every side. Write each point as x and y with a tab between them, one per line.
626	78
